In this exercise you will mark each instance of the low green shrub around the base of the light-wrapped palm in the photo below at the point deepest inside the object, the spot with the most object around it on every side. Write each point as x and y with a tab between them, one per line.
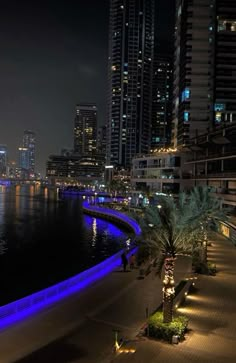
159	330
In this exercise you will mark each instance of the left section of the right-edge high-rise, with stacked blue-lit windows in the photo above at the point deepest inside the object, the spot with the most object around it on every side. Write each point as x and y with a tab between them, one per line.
193	71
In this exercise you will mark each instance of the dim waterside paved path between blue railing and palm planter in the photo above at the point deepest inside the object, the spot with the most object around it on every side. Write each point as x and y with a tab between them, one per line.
81	328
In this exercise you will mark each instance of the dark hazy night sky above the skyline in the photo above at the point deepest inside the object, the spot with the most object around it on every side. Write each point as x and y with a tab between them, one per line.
53	56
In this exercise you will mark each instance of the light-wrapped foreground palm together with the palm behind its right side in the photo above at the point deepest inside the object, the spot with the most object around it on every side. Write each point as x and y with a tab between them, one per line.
178	226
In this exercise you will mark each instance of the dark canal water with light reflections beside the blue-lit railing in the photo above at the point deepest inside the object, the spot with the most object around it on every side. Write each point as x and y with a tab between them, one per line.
48	239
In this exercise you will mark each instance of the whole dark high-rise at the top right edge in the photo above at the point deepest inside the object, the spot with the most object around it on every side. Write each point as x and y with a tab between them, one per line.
205	71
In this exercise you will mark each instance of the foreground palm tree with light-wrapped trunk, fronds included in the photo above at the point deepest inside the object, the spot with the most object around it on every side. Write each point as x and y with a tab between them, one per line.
170	231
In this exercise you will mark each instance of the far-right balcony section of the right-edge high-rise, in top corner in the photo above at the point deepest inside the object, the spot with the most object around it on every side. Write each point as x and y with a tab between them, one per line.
223	37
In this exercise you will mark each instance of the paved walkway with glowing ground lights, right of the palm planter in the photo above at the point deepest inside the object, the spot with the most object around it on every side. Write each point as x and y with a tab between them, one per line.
212	313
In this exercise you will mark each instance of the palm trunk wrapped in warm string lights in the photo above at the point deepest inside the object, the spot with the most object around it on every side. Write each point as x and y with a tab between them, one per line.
168	289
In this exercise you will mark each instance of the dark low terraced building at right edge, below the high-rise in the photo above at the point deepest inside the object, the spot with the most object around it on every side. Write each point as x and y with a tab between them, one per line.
213	161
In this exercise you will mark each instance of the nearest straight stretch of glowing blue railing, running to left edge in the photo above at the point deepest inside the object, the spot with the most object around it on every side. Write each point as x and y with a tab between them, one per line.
20	309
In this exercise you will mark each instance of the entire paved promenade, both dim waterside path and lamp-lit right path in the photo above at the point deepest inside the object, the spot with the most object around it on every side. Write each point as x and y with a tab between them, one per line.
87	320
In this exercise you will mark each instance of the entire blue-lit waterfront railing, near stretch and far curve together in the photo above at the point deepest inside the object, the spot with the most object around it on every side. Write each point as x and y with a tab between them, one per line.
31	304
